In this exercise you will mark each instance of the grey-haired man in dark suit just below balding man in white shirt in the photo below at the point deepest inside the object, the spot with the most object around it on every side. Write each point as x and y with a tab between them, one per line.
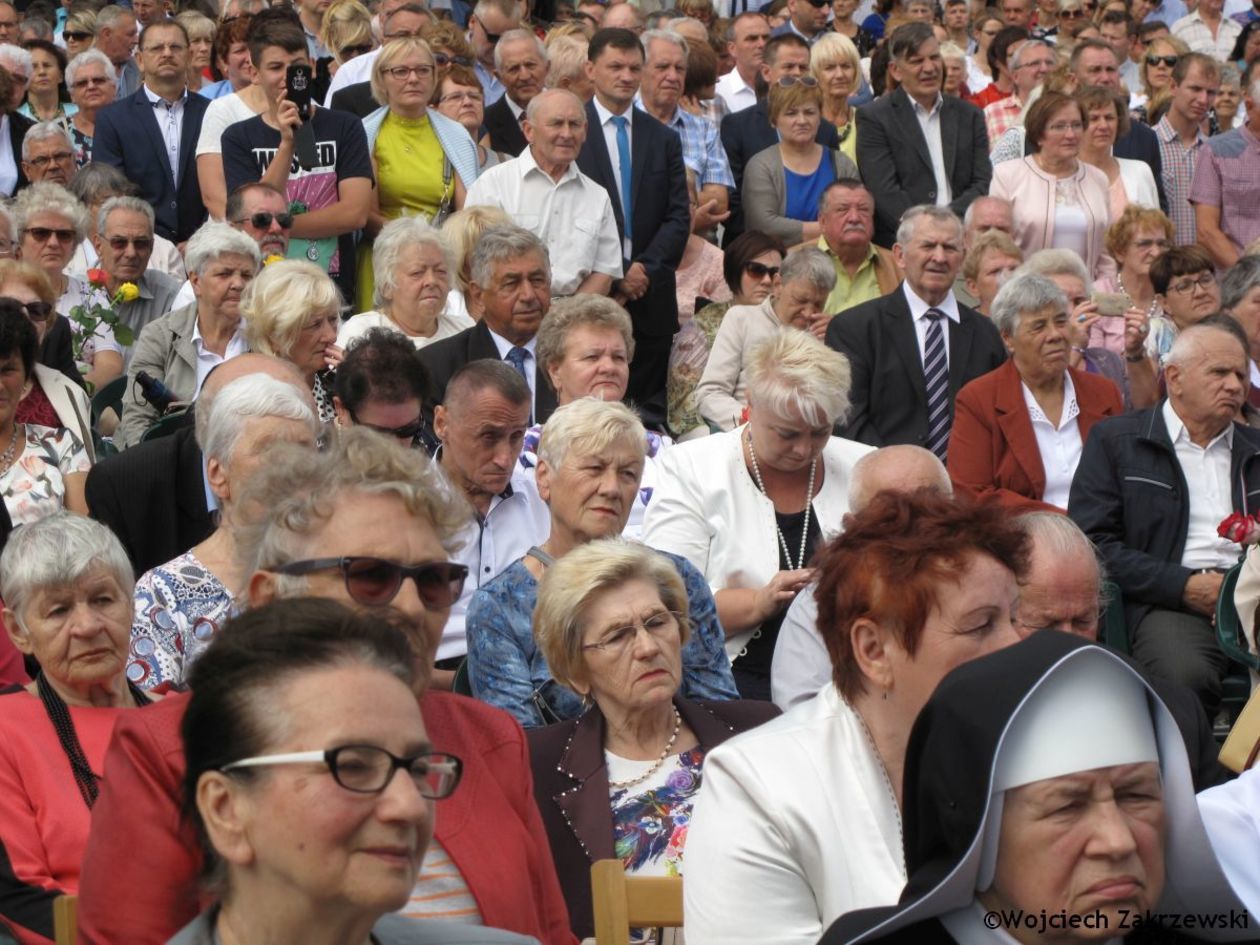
511	278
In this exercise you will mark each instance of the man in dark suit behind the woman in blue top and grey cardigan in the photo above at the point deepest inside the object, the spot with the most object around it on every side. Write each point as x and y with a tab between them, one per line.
749	130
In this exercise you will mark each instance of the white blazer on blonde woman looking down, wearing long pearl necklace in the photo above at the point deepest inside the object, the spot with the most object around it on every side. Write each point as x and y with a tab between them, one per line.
709	510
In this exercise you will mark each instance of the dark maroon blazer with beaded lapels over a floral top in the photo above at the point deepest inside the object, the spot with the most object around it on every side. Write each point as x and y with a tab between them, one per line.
571	787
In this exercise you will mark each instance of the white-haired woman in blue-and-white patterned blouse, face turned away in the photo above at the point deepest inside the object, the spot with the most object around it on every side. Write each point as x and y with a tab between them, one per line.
181	605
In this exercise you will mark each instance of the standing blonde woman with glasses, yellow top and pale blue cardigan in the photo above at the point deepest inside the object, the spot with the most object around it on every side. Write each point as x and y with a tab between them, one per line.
424	162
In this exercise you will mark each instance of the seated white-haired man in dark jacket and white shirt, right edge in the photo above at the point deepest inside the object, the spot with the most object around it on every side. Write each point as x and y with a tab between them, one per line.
1151	491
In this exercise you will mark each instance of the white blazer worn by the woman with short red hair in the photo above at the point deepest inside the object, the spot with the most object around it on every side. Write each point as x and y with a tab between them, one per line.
794	826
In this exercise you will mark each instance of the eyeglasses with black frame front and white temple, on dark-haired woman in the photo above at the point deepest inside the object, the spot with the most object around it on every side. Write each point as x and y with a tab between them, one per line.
369	769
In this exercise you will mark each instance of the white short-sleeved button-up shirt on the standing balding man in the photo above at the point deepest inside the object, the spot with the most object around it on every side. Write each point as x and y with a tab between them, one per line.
573	216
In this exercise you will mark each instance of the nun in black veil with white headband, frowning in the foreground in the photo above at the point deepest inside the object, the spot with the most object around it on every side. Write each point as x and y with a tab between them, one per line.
1049	799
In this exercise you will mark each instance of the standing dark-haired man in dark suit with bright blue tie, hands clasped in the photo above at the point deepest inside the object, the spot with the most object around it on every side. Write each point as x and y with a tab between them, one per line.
639	162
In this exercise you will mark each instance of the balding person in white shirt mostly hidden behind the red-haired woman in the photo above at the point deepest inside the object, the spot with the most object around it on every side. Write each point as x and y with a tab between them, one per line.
802	665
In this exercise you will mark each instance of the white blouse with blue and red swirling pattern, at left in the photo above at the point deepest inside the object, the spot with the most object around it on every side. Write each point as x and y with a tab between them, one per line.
180	608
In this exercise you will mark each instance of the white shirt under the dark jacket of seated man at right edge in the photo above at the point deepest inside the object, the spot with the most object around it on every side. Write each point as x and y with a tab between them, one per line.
1208	484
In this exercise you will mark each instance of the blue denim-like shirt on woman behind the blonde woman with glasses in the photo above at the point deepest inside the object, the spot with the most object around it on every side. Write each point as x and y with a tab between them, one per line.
507	670
